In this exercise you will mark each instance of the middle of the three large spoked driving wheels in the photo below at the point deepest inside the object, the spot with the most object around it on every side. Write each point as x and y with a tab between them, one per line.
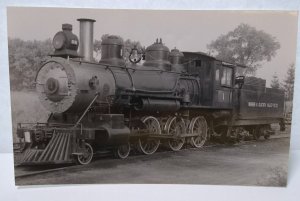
175	128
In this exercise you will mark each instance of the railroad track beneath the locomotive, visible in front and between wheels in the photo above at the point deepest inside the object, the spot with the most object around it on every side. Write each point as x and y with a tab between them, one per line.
27	172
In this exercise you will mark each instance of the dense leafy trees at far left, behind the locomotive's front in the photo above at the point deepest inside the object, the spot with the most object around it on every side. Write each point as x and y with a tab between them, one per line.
25	58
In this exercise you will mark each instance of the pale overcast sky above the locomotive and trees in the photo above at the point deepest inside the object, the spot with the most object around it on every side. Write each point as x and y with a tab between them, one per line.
185	30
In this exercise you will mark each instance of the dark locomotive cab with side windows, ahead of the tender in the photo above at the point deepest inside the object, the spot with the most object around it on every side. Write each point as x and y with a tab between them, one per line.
216	79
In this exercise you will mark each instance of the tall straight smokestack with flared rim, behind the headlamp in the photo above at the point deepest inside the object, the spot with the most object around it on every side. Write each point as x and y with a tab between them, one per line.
86	38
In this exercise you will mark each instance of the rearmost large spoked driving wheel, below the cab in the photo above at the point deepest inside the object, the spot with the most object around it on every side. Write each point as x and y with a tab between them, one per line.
198	126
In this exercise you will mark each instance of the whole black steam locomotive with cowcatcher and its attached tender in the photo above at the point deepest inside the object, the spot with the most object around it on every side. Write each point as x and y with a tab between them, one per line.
173	98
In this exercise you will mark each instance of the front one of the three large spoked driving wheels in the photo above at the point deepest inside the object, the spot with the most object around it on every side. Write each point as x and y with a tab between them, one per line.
150	145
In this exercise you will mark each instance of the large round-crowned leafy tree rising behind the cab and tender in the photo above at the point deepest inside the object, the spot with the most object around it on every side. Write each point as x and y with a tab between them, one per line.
245	45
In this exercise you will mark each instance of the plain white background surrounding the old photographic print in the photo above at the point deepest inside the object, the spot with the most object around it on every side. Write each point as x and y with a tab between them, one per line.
140	192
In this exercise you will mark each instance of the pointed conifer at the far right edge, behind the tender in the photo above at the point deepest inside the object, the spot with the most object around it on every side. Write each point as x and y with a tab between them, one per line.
289	82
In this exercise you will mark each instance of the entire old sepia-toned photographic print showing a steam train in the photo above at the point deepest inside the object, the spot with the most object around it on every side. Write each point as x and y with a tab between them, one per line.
120	96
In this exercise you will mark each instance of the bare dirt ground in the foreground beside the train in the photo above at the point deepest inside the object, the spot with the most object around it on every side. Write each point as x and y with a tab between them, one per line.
263	162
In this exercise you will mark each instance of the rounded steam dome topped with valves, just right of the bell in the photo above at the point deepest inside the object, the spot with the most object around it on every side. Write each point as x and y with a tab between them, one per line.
157	55
